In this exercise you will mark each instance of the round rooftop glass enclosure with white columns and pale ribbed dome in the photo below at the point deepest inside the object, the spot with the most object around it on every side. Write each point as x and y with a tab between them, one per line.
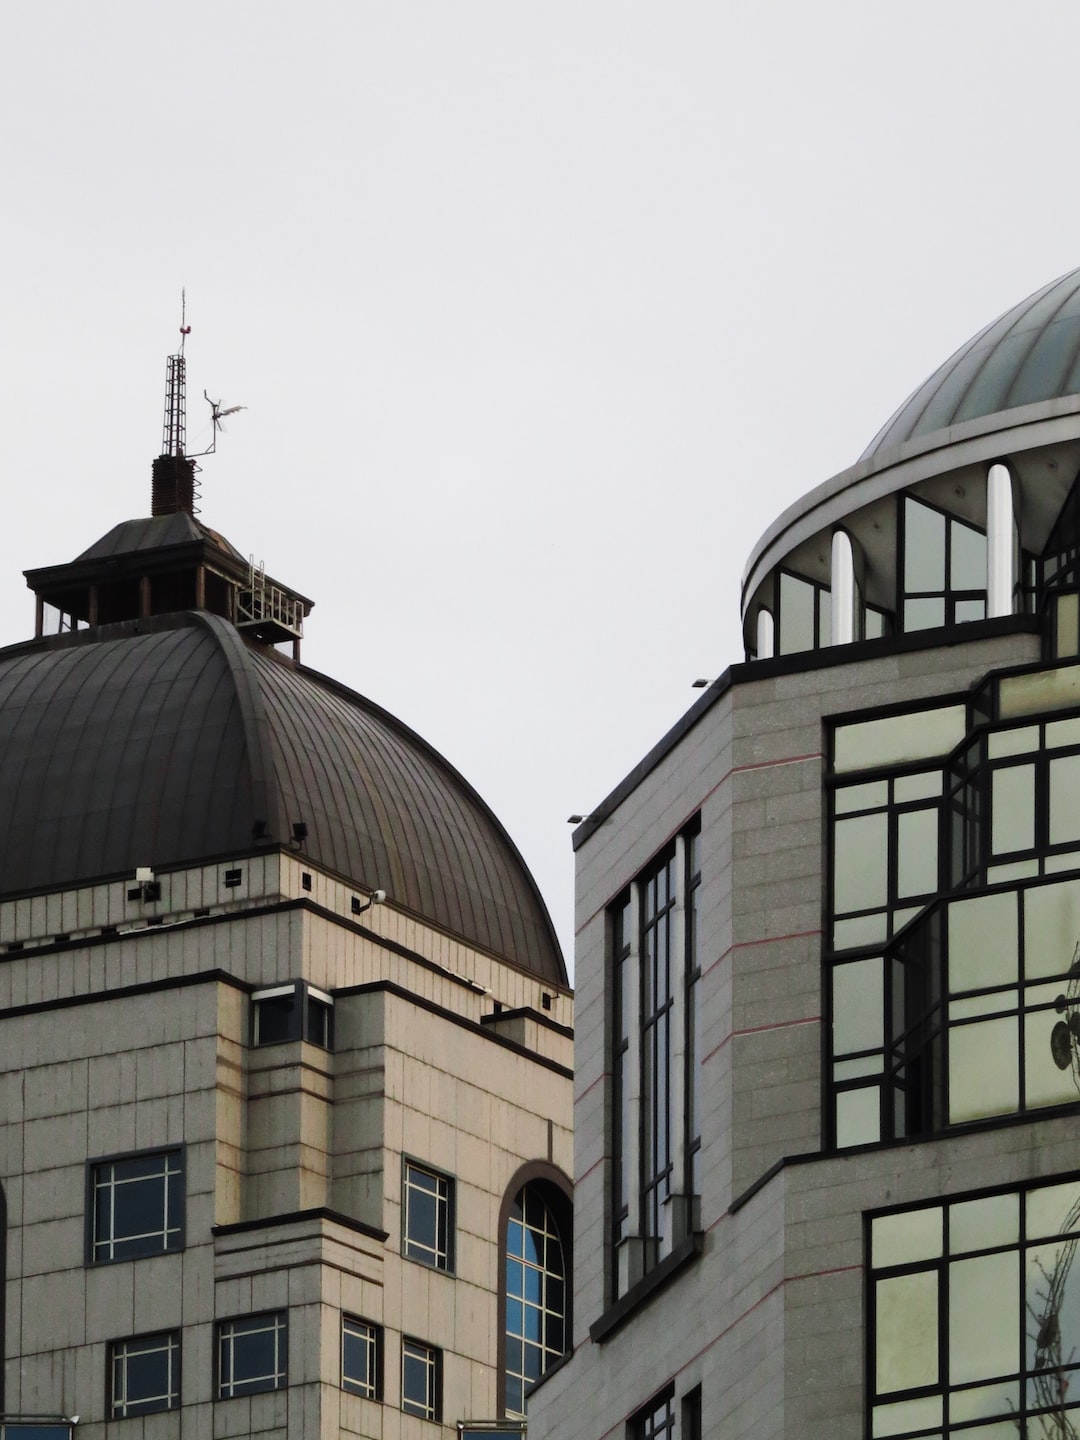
966	508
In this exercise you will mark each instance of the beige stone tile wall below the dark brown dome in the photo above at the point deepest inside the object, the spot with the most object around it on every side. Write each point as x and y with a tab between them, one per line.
138	1040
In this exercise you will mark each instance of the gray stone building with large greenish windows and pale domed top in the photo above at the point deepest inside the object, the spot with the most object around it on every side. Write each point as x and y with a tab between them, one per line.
830	963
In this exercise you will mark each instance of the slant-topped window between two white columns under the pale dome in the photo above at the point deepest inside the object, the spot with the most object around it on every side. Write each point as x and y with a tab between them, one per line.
945	570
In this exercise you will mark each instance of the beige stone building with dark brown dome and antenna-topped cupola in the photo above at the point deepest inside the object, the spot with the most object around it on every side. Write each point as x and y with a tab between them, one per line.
284	1027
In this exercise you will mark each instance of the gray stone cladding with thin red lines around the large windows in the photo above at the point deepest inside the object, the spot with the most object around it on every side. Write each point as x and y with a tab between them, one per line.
770	1318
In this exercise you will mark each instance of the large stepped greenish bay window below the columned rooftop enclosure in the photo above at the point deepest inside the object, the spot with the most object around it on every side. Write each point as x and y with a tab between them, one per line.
954	940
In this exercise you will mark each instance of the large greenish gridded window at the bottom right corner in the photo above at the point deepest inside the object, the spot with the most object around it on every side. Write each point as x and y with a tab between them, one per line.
976	1315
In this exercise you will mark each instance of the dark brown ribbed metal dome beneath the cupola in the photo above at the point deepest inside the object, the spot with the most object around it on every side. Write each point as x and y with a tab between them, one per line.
175	742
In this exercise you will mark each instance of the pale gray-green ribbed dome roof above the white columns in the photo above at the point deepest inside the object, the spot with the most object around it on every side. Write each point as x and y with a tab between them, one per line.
1032	354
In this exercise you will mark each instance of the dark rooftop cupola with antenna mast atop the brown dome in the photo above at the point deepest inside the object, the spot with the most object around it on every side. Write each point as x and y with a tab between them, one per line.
171	561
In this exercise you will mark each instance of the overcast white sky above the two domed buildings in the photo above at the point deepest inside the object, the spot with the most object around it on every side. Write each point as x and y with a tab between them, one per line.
542	313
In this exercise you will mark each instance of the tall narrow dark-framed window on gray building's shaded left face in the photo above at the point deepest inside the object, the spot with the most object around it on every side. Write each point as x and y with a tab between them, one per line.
656	981
